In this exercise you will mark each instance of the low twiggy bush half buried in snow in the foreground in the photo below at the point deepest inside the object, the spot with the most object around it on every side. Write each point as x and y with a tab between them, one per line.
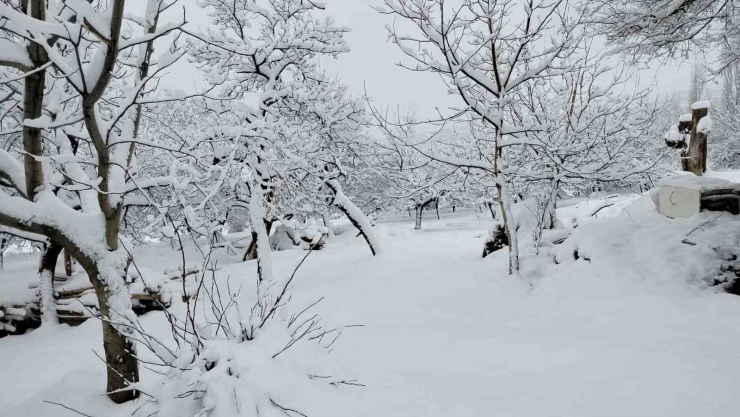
239	361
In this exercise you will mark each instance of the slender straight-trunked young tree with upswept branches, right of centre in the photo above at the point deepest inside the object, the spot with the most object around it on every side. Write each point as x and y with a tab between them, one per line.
486	59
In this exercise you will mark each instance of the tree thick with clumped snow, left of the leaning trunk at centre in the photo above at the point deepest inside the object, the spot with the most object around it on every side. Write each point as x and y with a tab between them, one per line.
258	55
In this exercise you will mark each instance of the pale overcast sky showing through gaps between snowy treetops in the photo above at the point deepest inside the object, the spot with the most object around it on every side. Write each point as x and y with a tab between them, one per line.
373	60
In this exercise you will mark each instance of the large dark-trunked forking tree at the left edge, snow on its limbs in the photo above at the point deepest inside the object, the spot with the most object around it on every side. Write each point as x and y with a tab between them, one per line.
81	110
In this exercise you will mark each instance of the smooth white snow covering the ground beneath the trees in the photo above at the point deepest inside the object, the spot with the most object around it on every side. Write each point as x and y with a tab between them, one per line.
626	329
